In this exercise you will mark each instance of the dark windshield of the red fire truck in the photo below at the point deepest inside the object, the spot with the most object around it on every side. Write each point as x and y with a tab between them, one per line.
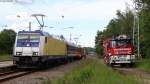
121	42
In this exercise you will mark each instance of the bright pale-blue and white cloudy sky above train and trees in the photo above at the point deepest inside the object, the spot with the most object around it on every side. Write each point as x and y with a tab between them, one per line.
86	15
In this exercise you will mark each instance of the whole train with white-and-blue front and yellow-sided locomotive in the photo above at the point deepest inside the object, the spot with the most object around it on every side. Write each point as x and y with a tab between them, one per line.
38	48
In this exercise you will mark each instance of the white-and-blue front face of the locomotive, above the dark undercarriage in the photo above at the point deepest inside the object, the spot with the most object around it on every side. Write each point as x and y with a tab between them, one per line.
27	45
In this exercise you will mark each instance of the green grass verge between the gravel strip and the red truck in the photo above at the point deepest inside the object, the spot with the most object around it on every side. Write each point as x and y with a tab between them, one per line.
93	72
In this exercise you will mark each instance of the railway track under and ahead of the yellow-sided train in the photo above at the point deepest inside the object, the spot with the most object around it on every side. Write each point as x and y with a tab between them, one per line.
14	73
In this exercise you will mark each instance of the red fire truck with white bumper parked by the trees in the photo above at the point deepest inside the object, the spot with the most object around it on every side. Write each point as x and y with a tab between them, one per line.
119	50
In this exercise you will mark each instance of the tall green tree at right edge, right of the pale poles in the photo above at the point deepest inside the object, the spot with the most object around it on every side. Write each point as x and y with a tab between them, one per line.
144	17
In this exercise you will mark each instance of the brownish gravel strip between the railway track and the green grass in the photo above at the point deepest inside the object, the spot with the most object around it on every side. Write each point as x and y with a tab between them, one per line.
40	76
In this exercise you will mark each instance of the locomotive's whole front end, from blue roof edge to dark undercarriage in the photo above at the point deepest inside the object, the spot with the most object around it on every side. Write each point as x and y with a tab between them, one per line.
27	49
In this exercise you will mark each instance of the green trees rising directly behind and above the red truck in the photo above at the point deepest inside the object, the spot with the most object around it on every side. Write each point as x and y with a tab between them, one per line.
123	24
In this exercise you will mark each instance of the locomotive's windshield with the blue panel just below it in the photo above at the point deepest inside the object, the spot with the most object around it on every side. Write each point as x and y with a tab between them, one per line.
28	40
